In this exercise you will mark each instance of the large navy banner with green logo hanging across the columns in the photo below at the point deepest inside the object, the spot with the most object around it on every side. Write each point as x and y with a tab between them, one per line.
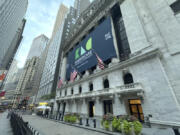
99	41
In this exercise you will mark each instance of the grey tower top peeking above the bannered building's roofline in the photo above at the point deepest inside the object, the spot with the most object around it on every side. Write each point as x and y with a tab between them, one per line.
81	5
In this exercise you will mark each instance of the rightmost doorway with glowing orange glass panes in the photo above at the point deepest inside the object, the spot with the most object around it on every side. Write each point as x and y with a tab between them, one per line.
136	109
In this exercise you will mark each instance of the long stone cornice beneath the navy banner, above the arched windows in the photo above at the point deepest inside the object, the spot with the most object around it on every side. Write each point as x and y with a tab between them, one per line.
136	58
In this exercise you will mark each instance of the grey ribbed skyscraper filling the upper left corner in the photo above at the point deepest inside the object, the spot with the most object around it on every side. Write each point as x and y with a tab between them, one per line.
11	27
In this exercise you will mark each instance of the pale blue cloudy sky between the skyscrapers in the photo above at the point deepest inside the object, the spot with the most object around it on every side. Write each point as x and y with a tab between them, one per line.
40	18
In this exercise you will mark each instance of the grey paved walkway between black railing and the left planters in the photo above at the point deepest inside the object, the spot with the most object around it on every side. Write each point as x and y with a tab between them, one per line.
48	127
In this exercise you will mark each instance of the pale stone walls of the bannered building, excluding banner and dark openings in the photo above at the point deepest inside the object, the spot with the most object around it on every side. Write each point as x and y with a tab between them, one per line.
153	34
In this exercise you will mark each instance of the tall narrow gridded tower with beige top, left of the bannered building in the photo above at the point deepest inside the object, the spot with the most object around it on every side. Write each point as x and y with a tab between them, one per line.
47	83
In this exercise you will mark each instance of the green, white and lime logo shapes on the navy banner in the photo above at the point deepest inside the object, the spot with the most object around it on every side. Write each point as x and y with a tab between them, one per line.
80	51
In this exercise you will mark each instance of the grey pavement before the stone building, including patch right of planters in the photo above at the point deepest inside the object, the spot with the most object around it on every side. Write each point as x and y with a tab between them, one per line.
51	127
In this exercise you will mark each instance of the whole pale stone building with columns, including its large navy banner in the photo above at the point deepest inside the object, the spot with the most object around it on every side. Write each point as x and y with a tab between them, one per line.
139	44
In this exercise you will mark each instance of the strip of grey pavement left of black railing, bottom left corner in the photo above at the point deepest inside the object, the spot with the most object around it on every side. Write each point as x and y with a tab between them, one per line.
5	127
